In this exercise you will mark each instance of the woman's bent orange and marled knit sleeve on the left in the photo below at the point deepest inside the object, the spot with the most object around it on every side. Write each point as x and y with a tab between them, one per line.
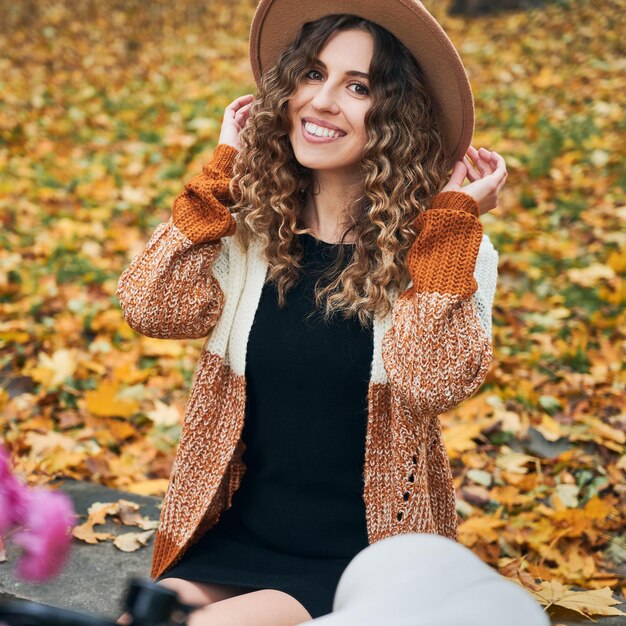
170	290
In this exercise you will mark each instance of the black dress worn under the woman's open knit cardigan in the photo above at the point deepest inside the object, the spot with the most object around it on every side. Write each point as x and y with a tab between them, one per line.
298	517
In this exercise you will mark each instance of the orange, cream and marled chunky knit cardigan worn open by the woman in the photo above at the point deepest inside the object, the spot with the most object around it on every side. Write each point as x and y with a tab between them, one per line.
432	351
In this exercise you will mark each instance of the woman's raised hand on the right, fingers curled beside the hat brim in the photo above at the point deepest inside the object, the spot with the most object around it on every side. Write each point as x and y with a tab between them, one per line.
487	178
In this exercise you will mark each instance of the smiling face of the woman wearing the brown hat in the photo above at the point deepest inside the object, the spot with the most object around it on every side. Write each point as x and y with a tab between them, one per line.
327	111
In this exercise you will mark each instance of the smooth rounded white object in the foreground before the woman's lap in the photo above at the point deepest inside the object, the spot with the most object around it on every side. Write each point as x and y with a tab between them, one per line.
427	580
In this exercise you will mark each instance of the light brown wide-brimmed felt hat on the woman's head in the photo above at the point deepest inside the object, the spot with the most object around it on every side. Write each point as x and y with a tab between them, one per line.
276	24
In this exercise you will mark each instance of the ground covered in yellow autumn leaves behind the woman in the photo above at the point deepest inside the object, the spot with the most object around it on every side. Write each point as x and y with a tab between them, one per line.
104	113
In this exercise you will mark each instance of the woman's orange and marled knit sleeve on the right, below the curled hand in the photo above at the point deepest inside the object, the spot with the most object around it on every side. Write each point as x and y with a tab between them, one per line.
436	352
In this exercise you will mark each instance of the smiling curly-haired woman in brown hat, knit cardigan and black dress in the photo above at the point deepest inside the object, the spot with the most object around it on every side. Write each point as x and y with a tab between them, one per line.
310	435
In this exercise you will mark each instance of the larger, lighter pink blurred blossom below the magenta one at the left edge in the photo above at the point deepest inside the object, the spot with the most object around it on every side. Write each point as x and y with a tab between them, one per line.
46	538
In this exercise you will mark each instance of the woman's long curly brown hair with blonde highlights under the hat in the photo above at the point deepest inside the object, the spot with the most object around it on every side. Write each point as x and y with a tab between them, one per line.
403	165
